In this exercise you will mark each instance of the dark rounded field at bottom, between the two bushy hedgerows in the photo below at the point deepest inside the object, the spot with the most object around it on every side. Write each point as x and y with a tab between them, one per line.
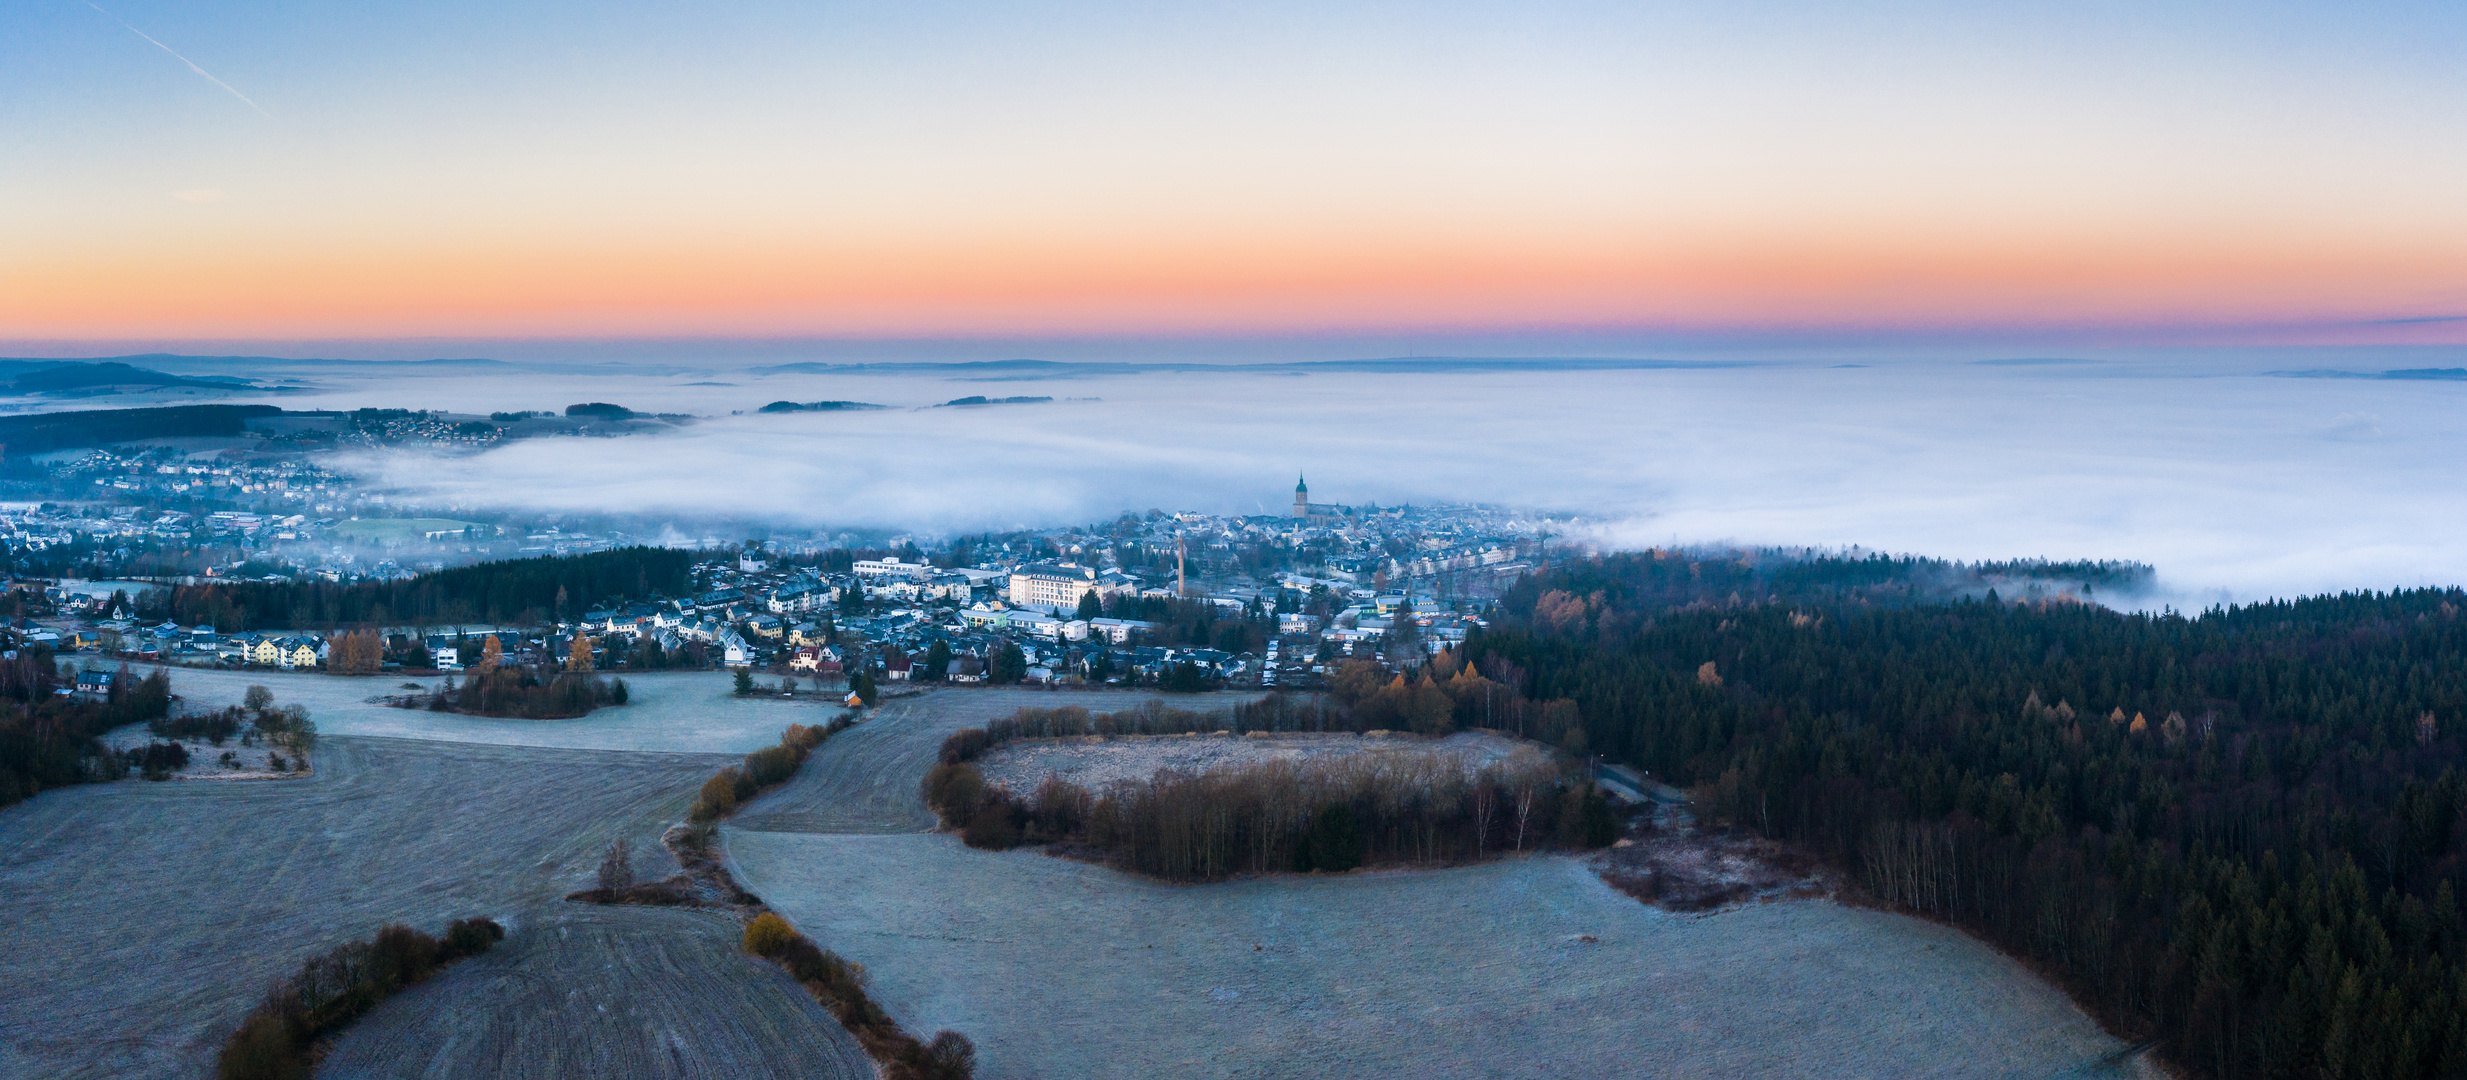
606	992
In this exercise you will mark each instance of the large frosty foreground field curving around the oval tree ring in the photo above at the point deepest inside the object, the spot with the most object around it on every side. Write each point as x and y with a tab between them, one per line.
1516	968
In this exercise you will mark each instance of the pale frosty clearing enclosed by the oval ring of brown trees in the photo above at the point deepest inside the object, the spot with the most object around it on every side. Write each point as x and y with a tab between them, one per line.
1094	763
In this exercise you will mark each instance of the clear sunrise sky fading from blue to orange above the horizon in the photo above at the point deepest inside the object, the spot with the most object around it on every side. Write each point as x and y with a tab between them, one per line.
1106	171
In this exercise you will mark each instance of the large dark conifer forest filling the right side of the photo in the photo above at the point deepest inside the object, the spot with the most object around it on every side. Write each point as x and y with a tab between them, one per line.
2236	835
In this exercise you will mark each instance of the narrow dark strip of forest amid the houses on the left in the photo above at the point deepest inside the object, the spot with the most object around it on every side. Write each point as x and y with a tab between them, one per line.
500	593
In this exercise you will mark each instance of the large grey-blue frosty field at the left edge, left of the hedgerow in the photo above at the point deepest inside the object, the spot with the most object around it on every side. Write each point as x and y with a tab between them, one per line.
147	918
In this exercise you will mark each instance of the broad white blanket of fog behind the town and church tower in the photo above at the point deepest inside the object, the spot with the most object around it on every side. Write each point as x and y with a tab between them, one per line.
2231	482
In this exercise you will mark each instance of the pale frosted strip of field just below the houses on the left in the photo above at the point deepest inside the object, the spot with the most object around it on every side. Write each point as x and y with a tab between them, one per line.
670	711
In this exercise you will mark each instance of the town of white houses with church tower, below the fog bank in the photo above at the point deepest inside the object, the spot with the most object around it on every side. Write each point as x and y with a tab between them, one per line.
1173	600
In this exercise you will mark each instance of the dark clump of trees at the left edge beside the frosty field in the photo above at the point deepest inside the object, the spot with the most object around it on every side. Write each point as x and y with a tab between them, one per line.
56	741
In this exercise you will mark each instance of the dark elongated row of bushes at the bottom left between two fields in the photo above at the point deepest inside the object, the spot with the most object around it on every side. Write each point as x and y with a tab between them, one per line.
339	988
